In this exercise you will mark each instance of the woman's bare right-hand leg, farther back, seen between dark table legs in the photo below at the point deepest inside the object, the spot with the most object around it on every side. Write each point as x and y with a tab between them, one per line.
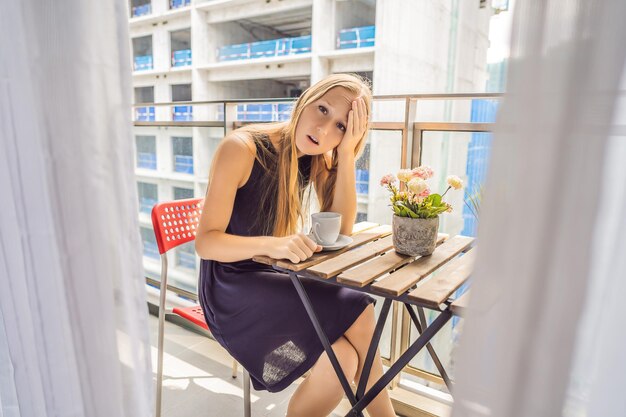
360	335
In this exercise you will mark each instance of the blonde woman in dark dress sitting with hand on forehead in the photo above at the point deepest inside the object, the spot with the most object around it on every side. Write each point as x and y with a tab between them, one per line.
253	205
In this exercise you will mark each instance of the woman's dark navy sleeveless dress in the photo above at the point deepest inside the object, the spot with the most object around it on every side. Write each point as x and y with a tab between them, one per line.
254	311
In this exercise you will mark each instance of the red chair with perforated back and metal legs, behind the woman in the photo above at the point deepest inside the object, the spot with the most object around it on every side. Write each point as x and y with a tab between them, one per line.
175	223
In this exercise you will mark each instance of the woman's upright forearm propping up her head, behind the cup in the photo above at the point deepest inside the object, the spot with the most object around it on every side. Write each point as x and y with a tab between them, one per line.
344	198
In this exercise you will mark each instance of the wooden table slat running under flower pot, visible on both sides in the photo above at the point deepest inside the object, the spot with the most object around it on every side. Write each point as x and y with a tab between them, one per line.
368	272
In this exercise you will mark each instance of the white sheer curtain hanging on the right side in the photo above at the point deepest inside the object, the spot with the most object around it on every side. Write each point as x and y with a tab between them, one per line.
544	335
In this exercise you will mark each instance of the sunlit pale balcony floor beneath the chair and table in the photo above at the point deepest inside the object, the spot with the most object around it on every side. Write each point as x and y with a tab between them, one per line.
197	379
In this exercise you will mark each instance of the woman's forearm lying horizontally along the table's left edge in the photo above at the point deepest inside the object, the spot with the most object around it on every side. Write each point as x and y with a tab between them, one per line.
224	247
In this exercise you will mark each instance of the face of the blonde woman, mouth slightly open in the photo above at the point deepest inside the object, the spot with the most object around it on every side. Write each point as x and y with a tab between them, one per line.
323	123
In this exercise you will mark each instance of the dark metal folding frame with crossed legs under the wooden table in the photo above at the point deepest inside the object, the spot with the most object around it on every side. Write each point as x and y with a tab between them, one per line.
362	399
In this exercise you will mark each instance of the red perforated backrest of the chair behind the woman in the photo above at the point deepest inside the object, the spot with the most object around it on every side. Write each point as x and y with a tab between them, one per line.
176	222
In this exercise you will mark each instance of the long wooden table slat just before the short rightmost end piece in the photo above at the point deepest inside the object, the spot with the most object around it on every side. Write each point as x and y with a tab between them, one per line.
439	288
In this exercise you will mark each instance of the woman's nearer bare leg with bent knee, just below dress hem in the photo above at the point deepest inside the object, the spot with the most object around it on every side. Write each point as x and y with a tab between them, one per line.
321	391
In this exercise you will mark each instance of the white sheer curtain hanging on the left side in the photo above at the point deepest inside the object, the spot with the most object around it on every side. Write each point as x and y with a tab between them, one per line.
73	315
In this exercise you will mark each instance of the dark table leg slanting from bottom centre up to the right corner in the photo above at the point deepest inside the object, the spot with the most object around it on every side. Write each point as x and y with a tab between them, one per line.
402	361
